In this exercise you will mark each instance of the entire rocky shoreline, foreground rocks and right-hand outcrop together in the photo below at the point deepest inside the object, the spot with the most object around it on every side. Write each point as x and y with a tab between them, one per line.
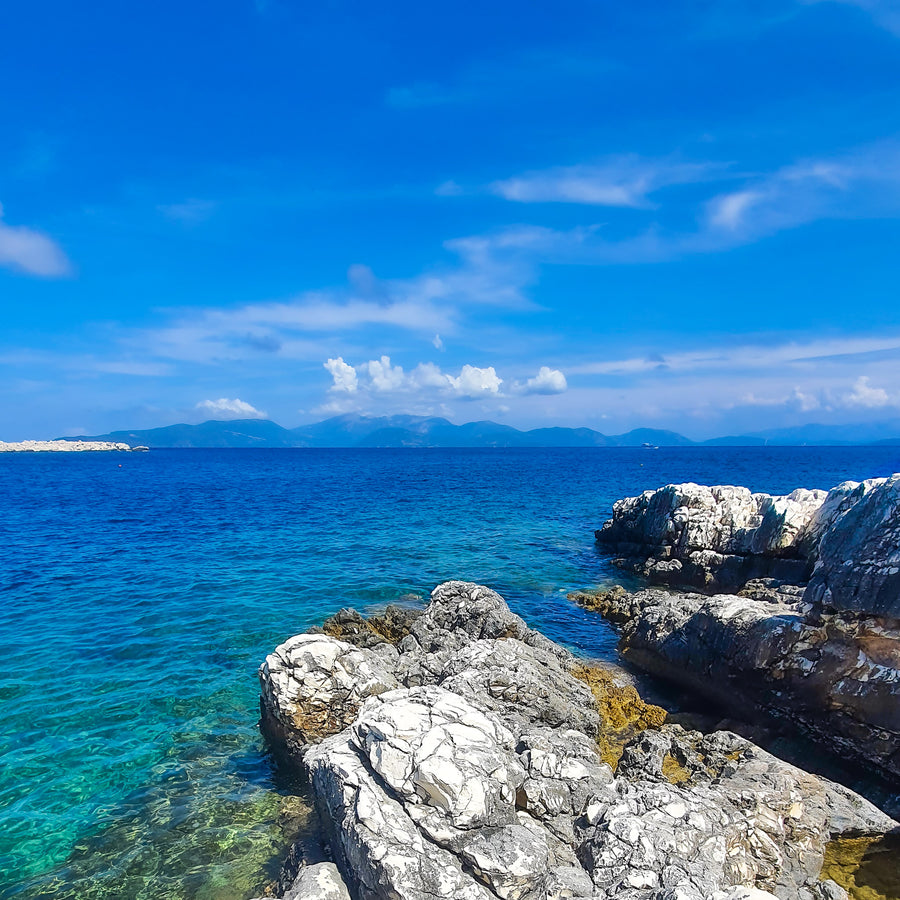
453	752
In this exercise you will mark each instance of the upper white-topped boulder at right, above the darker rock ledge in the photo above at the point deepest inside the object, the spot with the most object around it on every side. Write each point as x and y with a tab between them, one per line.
845	543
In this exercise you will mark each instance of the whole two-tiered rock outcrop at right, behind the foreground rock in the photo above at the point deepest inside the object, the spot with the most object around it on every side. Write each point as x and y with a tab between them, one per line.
816	641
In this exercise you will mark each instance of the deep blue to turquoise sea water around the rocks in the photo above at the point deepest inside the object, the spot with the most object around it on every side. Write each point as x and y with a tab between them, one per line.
139	593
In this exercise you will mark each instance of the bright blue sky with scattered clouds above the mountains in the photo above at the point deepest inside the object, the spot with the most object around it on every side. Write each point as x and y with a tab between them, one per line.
681	214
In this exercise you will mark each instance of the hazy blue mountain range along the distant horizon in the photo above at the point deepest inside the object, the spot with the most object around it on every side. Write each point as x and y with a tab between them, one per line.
354	430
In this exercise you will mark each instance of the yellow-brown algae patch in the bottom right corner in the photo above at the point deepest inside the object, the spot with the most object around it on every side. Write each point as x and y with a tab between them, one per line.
868	868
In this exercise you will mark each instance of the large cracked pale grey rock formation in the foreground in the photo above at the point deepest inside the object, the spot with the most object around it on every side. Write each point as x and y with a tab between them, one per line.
476	774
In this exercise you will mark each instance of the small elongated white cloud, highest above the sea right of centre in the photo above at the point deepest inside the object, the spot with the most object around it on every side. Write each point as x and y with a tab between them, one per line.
619	181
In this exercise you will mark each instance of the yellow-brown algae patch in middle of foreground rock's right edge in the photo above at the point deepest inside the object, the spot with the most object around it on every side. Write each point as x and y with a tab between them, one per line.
623	712
